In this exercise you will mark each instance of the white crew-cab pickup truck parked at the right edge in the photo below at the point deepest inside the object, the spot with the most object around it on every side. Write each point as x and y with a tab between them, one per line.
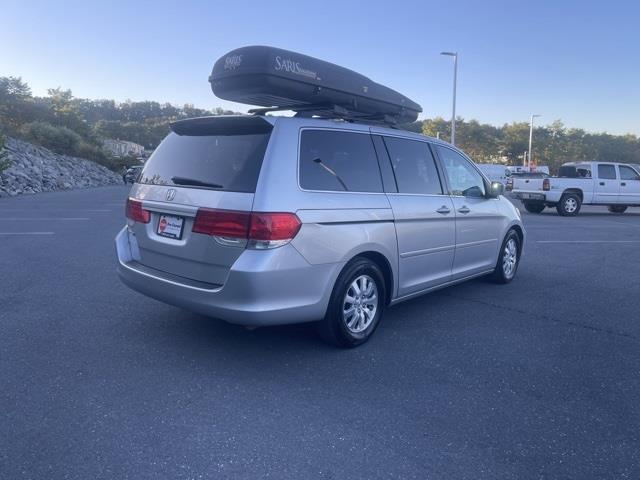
615	185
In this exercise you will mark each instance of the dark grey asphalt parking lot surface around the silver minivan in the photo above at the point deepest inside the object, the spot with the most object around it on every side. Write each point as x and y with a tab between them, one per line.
536	379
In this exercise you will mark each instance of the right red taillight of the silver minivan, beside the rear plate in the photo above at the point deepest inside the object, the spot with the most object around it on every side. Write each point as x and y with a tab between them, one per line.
262	230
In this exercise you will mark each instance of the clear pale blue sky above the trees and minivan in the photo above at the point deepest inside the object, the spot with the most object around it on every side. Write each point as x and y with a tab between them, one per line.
577	61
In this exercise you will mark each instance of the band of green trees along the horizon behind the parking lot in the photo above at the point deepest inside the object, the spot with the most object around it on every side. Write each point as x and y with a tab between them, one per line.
79	126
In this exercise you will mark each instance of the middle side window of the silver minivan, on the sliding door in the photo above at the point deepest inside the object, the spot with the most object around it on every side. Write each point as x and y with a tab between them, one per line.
413	166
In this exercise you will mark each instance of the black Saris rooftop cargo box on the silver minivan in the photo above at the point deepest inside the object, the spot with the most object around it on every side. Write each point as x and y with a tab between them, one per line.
280	79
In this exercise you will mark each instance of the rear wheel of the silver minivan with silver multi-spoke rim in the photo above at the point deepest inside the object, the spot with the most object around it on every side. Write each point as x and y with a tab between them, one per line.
356	305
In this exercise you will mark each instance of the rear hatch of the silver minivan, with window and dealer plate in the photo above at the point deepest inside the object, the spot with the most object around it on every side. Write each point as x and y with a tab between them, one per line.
209	165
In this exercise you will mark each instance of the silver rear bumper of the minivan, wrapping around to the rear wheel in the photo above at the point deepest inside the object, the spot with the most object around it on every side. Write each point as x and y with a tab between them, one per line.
264	287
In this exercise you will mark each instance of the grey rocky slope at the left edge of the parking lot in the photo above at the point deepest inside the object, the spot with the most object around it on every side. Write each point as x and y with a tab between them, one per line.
35	169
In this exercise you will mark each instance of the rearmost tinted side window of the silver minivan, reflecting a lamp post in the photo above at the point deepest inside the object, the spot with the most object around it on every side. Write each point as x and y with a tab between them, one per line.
338	161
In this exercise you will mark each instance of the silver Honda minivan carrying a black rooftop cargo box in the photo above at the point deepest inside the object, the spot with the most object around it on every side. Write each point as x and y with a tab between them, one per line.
264	220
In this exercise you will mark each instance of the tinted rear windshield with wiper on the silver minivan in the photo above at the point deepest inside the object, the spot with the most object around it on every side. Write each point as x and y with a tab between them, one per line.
220	162
